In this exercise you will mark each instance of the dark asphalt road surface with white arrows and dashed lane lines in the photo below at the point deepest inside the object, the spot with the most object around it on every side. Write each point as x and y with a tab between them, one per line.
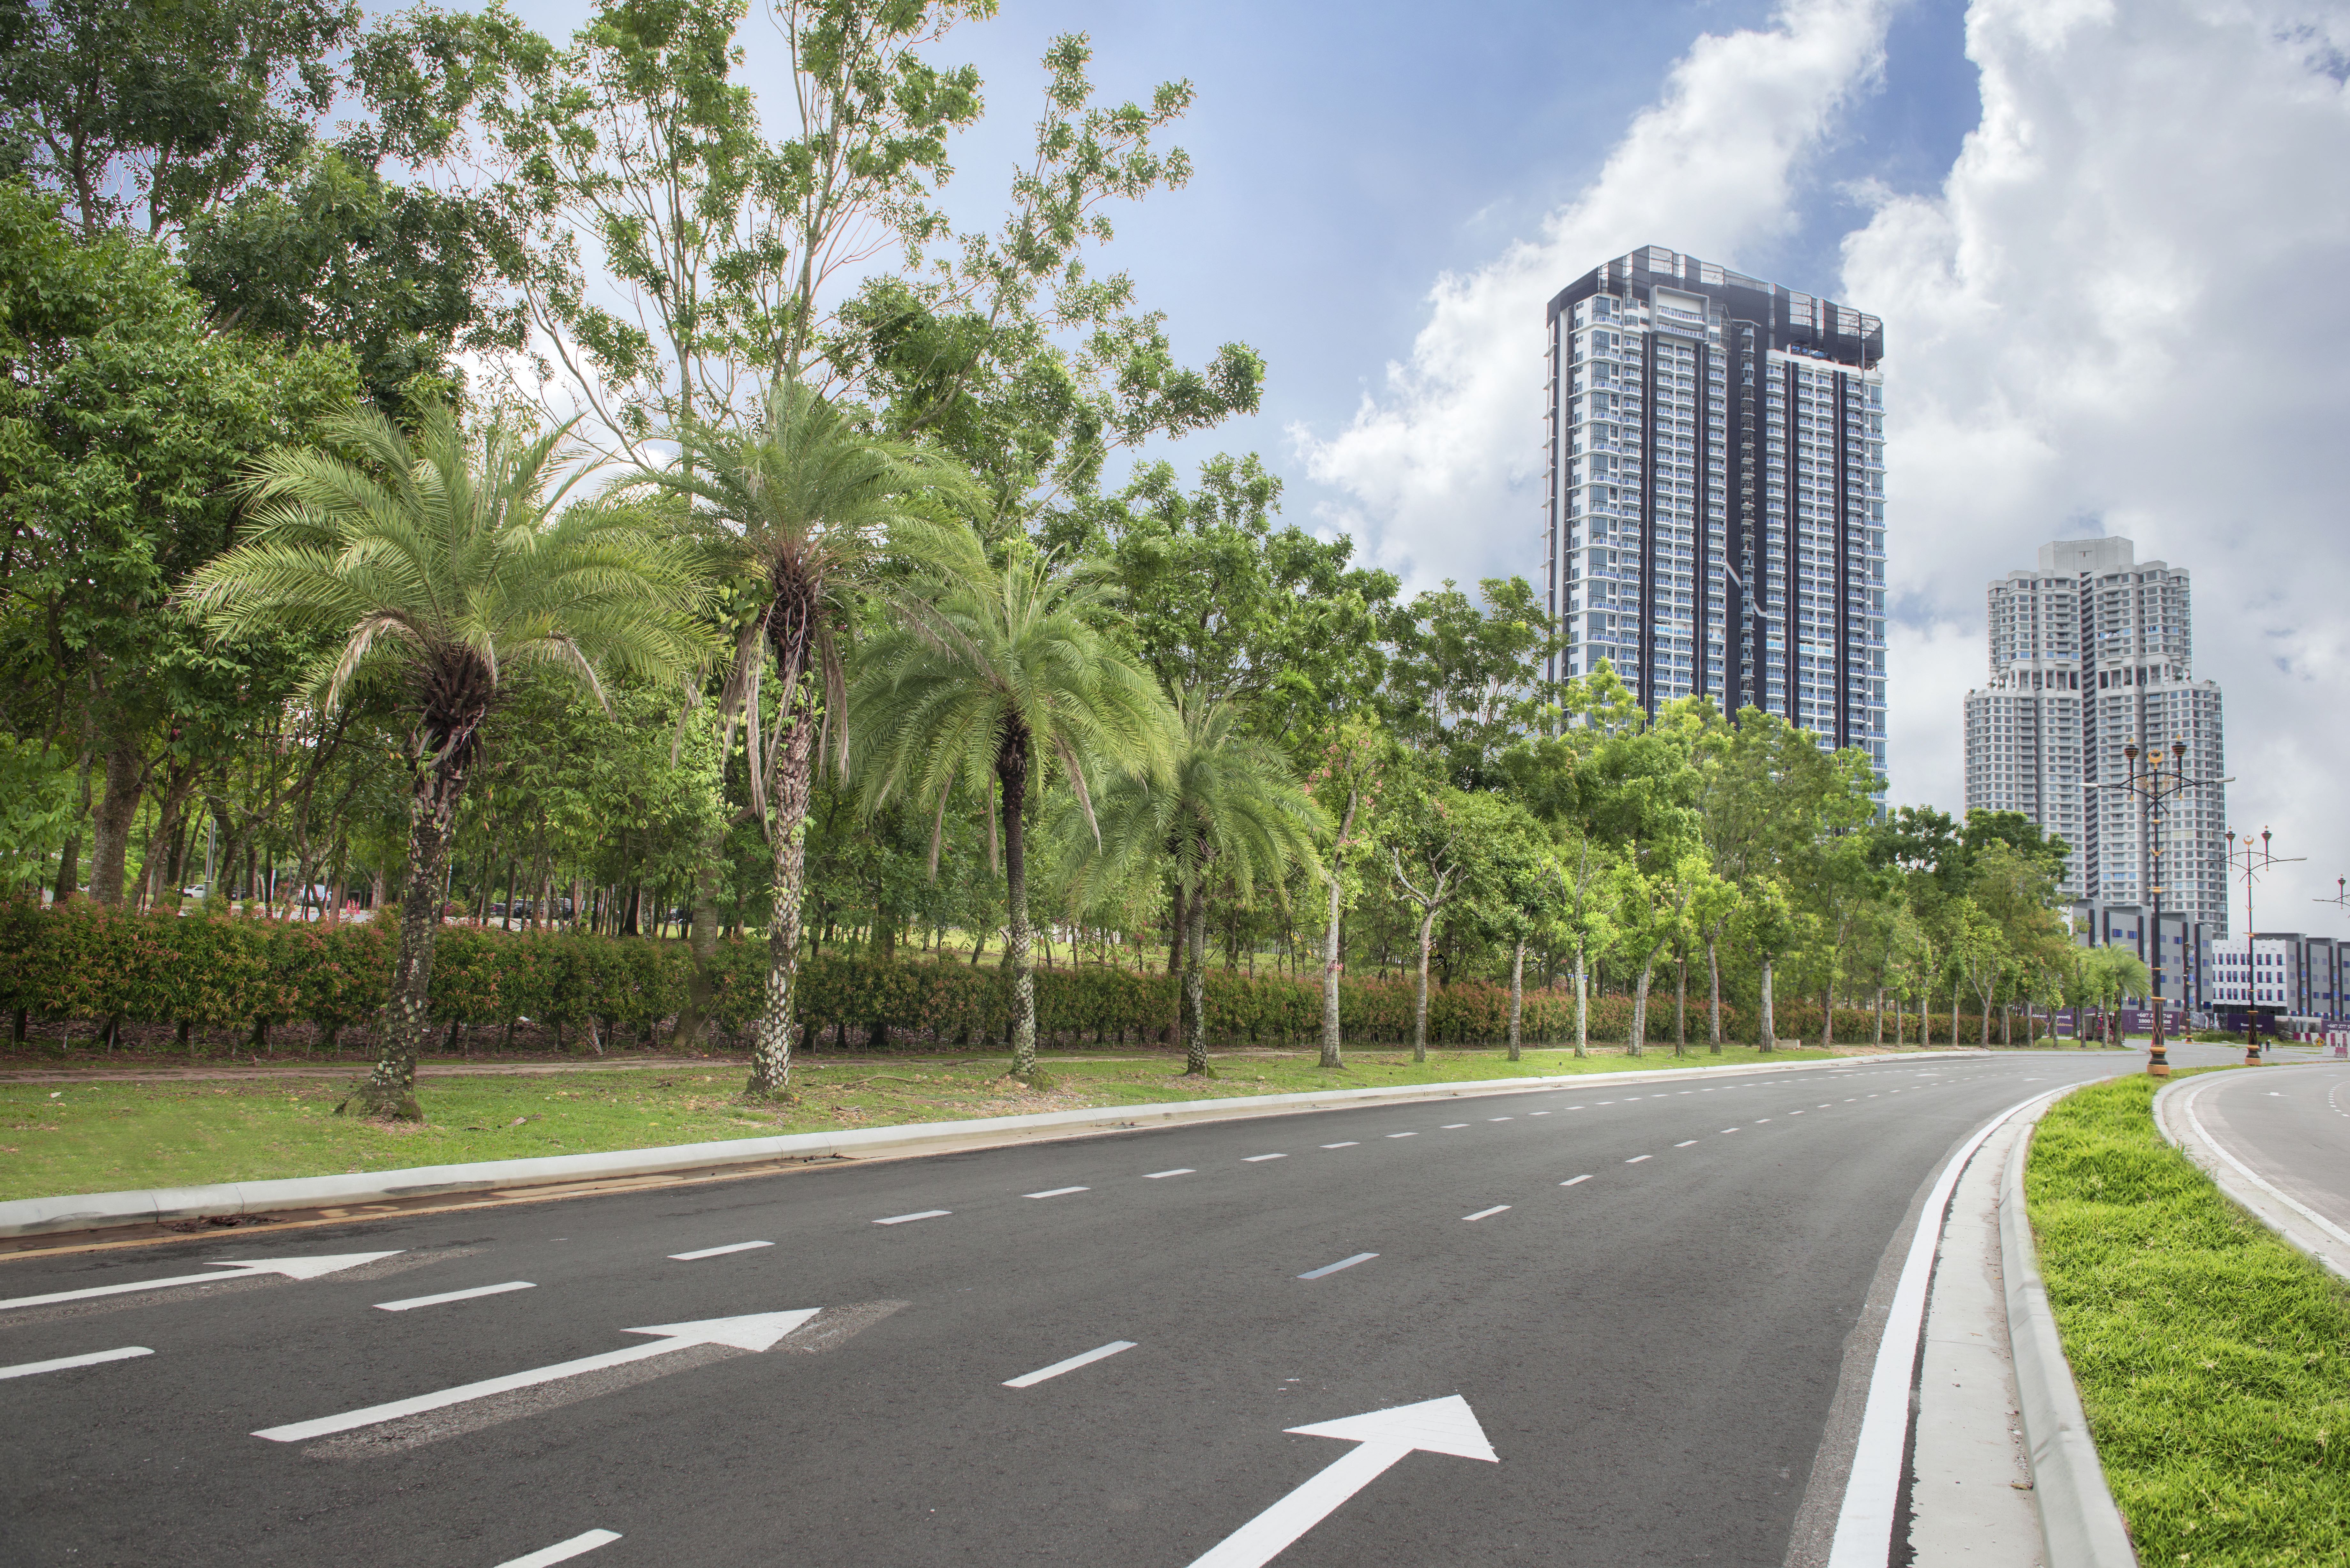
1651	1353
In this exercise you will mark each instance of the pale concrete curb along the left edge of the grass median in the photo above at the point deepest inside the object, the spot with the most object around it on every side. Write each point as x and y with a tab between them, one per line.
2079	1520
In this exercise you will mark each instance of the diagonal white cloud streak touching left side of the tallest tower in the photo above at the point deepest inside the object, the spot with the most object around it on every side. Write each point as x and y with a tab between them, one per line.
1442	471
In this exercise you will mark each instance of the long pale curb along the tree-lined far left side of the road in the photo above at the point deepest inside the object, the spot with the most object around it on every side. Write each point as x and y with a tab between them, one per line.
107	1209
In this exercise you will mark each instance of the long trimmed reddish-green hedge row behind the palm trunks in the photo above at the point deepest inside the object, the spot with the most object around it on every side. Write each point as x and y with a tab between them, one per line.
210	972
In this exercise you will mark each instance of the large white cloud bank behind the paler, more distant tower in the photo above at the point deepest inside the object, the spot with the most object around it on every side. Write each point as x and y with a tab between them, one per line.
2119	316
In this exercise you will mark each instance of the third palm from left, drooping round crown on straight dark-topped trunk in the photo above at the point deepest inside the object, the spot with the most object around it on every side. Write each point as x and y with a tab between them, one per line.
969	690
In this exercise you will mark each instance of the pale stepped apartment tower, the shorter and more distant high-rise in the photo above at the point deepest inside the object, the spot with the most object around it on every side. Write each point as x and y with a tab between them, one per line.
2088	655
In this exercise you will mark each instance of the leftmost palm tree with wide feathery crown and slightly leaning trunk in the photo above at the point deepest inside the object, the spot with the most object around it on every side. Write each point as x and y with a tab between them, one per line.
445	565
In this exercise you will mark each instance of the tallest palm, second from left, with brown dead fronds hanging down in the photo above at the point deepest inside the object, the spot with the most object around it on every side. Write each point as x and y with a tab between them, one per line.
814	509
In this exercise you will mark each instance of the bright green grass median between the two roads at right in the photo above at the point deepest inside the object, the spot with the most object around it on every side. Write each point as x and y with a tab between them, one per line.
2213	1358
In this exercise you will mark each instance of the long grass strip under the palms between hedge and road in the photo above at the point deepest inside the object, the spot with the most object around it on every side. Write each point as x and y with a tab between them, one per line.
109	1137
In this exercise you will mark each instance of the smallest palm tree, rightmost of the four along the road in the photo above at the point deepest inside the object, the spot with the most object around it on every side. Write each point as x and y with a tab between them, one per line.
1226	810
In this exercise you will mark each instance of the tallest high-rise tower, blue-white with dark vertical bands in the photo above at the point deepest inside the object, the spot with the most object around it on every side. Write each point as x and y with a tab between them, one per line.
1717	492
